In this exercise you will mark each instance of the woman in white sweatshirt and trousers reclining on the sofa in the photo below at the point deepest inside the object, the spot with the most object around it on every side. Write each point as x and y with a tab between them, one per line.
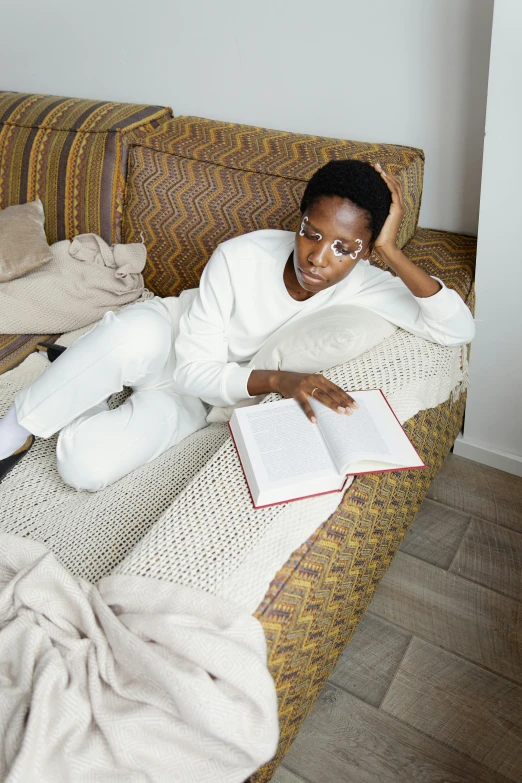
181	352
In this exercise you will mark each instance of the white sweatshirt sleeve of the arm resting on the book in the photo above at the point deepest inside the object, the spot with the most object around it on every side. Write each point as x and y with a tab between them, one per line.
202	367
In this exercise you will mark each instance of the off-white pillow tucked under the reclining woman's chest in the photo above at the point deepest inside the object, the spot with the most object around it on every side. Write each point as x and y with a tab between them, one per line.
315	343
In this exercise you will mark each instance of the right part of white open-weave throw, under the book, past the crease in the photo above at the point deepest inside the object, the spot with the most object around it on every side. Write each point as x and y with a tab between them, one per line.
216	540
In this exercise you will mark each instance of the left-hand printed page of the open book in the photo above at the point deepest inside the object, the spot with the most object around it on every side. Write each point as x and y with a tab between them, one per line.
287	445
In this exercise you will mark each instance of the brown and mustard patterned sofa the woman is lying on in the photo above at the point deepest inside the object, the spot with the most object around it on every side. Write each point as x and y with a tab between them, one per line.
183	184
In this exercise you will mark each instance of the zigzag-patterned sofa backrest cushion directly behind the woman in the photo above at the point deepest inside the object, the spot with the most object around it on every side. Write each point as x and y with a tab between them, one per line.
196	182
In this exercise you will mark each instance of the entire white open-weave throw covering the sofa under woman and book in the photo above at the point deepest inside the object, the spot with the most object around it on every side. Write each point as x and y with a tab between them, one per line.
188	512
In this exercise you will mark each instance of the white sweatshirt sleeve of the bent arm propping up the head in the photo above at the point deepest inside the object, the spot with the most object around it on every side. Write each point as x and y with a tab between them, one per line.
442	318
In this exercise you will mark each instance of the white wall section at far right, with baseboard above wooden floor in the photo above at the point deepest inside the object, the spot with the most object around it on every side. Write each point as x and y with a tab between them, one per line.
493	425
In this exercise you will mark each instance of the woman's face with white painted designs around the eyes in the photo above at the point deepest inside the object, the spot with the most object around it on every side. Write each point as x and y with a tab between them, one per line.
331	238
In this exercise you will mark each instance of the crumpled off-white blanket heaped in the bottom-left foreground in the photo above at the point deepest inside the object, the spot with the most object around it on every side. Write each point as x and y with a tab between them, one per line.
133	680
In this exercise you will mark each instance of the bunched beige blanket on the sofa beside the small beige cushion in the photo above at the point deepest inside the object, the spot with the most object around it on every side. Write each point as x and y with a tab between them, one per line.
84	280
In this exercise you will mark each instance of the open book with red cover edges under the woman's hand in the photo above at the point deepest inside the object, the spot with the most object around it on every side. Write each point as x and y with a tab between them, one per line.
286	457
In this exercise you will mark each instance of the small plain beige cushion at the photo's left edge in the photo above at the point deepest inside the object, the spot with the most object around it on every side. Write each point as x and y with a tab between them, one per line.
23	245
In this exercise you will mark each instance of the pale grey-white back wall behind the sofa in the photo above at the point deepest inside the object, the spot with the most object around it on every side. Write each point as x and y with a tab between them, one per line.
407	71
